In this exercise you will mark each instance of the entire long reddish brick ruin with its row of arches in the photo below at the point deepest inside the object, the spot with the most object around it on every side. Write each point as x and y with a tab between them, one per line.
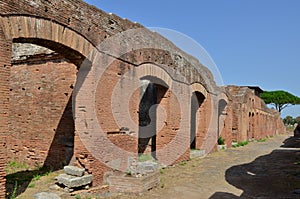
57	110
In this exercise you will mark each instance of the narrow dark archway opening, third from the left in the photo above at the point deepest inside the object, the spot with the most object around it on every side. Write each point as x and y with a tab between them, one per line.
197	100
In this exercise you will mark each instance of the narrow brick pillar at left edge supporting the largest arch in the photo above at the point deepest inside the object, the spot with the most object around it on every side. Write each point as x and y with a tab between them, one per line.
5	60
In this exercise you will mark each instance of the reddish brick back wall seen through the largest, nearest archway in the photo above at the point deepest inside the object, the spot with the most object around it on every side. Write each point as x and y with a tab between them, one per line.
41	125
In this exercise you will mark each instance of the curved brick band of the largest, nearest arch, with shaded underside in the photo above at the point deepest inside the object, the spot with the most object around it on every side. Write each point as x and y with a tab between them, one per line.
47	33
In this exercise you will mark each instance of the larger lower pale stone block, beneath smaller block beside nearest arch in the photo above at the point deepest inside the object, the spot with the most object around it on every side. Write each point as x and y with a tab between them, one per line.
72	181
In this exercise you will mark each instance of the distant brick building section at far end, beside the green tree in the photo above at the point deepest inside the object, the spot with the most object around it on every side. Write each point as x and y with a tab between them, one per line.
251	118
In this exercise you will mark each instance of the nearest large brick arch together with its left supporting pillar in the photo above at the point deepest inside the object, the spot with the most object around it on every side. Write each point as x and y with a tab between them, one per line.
43	32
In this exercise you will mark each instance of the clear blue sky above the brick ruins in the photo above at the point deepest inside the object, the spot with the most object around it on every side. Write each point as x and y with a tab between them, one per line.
252	42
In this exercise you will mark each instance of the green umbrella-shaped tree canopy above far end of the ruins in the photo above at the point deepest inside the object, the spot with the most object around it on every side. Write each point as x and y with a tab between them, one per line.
279	99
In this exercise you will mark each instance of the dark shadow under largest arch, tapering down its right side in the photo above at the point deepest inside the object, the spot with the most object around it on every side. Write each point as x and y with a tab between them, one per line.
66	120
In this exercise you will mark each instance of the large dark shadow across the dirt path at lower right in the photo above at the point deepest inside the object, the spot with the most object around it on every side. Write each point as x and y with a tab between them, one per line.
276	175
